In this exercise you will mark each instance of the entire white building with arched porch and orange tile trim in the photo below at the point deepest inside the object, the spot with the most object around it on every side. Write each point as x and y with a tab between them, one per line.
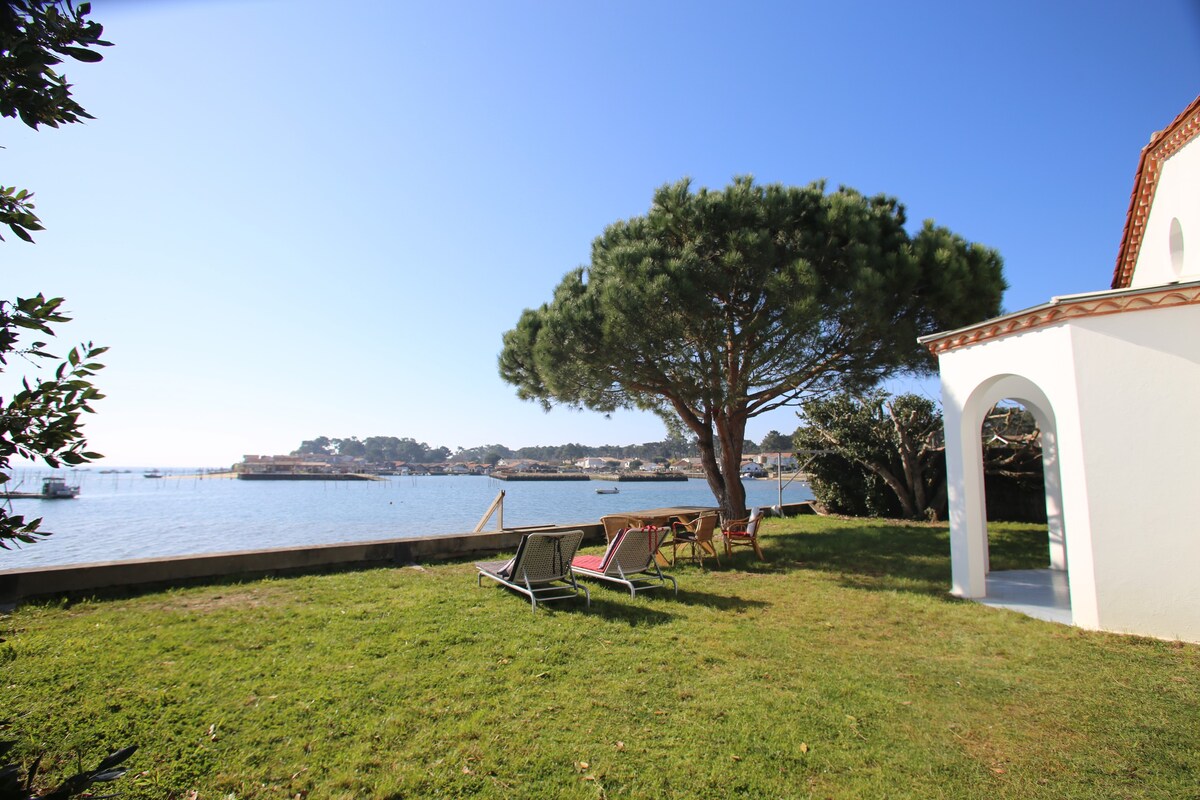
1114	381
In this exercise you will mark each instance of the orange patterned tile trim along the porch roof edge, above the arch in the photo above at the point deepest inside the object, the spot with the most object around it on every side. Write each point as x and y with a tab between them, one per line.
1066	309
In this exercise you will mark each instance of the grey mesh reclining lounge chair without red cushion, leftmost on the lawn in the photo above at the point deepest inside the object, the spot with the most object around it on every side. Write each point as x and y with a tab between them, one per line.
542	568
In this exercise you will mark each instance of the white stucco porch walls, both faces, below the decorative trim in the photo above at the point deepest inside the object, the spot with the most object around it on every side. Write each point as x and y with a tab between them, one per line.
1117	394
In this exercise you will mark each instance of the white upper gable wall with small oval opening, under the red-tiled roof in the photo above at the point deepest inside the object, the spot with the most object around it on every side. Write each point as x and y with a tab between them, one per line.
1175	199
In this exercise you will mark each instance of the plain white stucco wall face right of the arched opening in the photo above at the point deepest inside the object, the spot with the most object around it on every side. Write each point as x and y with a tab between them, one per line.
1138	378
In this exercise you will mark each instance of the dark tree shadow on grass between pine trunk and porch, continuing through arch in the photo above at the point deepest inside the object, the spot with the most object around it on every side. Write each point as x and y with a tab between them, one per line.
892	557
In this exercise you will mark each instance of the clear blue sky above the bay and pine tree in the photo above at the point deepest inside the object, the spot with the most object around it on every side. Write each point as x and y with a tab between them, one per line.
308	219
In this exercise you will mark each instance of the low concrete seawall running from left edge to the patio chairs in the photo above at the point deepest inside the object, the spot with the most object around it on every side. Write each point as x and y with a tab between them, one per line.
20	585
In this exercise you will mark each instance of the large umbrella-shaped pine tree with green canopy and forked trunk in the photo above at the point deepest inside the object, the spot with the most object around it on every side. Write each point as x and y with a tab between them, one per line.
718	306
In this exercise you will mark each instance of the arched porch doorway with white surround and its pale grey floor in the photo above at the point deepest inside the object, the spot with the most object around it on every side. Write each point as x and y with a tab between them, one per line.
1041	593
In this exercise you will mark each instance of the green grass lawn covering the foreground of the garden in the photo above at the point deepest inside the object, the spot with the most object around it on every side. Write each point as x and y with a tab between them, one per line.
837	670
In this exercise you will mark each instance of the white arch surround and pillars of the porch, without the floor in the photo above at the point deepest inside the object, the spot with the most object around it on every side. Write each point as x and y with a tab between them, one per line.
964	458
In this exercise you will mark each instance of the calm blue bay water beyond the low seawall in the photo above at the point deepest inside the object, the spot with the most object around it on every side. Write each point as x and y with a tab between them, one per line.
127	516
